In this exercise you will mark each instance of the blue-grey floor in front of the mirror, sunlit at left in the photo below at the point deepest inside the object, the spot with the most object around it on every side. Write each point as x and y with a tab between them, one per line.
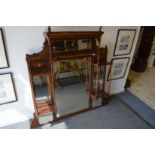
114	115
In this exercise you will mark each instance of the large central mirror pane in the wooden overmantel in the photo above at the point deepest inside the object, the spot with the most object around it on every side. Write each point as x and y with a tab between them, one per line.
71	85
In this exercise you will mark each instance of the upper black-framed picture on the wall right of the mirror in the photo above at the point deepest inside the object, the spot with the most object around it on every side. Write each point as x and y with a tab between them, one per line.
124	42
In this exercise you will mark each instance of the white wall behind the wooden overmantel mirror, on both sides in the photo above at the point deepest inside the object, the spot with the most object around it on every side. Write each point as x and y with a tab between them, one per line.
22	40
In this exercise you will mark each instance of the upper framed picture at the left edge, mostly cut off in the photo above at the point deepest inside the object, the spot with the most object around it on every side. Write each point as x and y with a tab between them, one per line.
3	55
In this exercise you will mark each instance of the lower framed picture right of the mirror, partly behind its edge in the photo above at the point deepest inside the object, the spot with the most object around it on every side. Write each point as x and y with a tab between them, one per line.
119	67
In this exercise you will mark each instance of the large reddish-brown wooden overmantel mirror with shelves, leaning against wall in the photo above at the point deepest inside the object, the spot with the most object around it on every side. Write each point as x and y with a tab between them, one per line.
68	76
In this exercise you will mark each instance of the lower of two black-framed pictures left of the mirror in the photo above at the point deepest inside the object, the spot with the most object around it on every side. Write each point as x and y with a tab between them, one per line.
7	89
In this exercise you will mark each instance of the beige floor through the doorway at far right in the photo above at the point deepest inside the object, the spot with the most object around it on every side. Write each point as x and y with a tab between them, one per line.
143	86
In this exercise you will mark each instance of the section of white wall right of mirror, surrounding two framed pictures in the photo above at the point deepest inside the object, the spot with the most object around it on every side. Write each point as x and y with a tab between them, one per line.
109	38
